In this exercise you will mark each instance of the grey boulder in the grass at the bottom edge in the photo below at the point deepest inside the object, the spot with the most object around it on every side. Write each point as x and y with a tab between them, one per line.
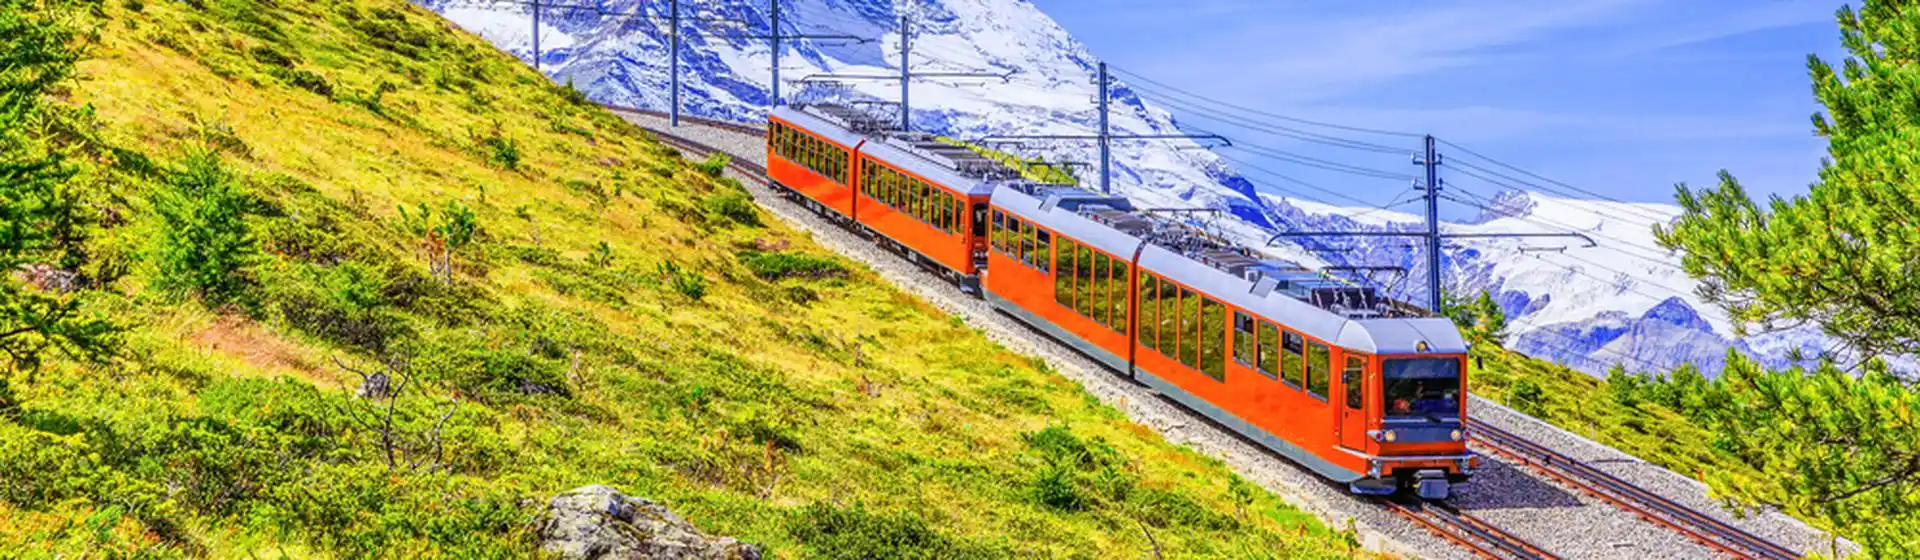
602	523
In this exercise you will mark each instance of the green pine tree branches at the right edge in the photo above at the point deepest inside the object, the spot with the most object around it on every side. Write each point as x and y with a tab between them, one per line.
1835	444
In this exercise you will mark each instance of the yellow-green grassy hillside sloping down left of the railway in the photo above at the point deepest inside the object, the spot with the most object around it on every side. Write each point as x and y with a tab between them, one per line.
567	300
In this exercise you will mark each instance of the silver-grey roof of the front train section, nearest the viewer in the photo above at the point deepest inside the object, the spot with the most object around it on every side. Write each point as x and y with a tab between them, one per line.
1282	291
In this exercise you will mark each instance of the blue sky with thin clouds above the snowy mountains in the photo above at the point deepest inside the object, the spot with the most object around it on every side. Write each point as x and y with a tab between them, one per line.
1618	97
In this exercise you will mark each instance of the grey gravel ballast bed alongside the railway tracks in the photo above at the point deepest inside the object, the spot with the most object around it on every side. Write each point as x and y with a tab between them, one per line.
1516	500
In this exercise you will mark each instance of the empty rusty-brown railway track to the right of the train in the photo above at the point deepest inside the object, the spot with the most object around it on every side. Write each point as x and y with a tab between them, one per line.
1629	498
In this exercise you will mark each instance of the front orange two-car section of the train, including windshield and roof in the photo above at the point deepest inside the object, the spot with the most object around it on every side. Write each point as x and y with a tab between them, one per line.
1312	369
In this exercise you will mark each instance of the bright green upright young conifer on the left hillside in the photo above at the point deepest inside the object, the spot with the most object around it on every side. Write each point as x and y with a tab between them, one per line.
204	241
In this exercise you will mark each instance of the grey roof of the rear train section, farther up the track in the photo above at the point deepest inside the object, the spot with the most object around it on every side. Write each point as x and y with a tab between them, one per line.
917	152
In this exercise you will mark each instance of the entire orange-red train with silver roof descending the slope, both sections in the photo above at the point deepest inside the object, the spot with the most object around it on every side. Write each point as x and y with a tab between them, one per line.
1358	388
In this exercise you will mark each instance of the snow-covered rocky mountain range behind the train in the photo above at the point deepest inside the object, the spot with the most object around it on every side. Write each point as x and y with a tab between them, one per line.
1589	308
